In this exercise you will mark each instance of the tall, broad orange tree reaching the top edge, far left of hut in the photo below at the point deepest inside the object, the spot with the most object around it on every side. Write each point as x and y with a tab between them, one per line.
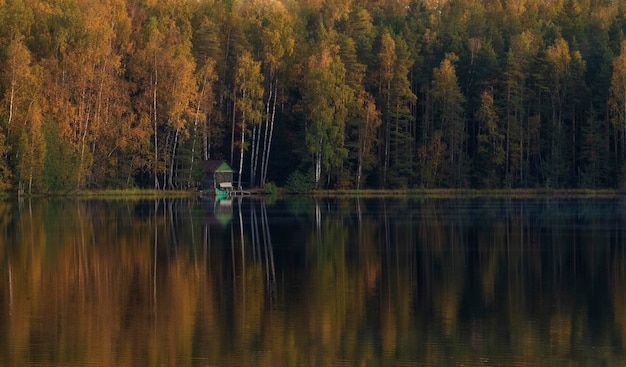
93	87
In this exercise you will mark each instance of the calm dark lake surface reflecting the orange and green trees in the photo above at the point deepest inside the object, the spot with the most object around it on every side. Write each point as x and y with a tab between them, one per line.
464	282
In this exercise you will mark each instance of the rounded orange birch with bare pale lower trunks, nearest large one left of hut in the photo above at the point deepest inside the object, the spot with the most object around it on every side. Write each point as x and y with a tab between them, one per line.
166	77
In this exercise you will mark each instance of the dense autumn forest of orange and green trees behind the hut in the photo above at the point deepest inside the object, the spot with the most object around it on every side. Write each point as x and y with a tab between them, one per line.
338	94
